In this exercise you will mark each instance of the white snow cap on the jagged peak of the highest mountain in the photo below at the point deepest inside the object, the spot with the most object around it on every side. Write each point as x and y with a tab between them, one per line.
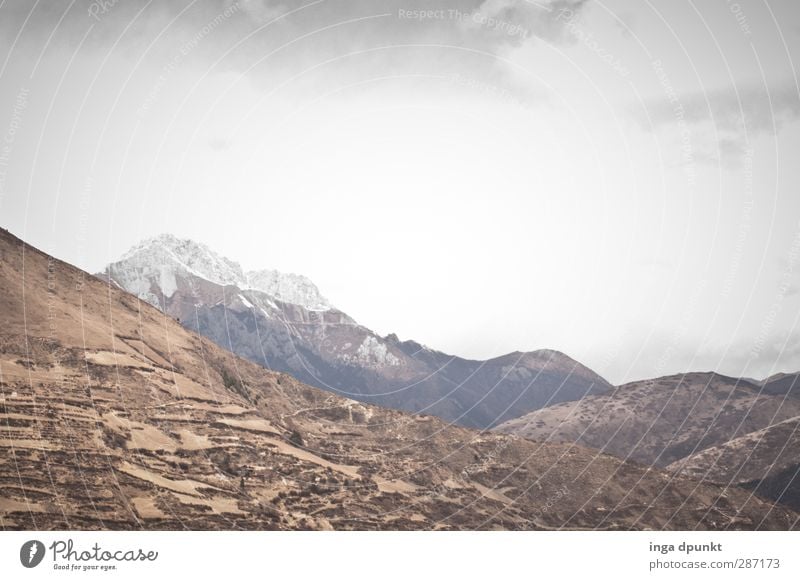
159	260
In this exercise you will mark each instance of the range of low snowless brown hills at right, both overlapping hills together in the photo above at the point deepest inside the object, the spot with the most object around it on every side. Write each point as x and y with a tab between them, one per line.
715	428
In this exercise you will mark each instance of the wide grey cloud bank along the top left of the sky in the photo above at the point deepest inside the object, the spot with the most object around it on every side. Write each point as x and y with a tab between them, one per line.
304	46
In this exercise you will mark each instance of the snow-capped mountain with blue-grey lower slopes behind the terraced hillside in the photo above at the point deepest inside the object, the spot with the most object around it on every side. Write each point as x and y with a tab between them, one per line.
282	322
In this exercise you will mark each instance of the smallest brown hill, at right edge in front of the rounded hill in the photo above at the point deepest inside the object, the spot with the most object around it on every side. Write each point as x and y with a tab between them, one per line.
766	461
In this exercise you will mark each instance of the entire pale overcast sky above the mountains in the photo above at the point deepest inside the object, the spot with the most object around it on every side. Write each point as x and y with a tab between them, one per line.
618	180
